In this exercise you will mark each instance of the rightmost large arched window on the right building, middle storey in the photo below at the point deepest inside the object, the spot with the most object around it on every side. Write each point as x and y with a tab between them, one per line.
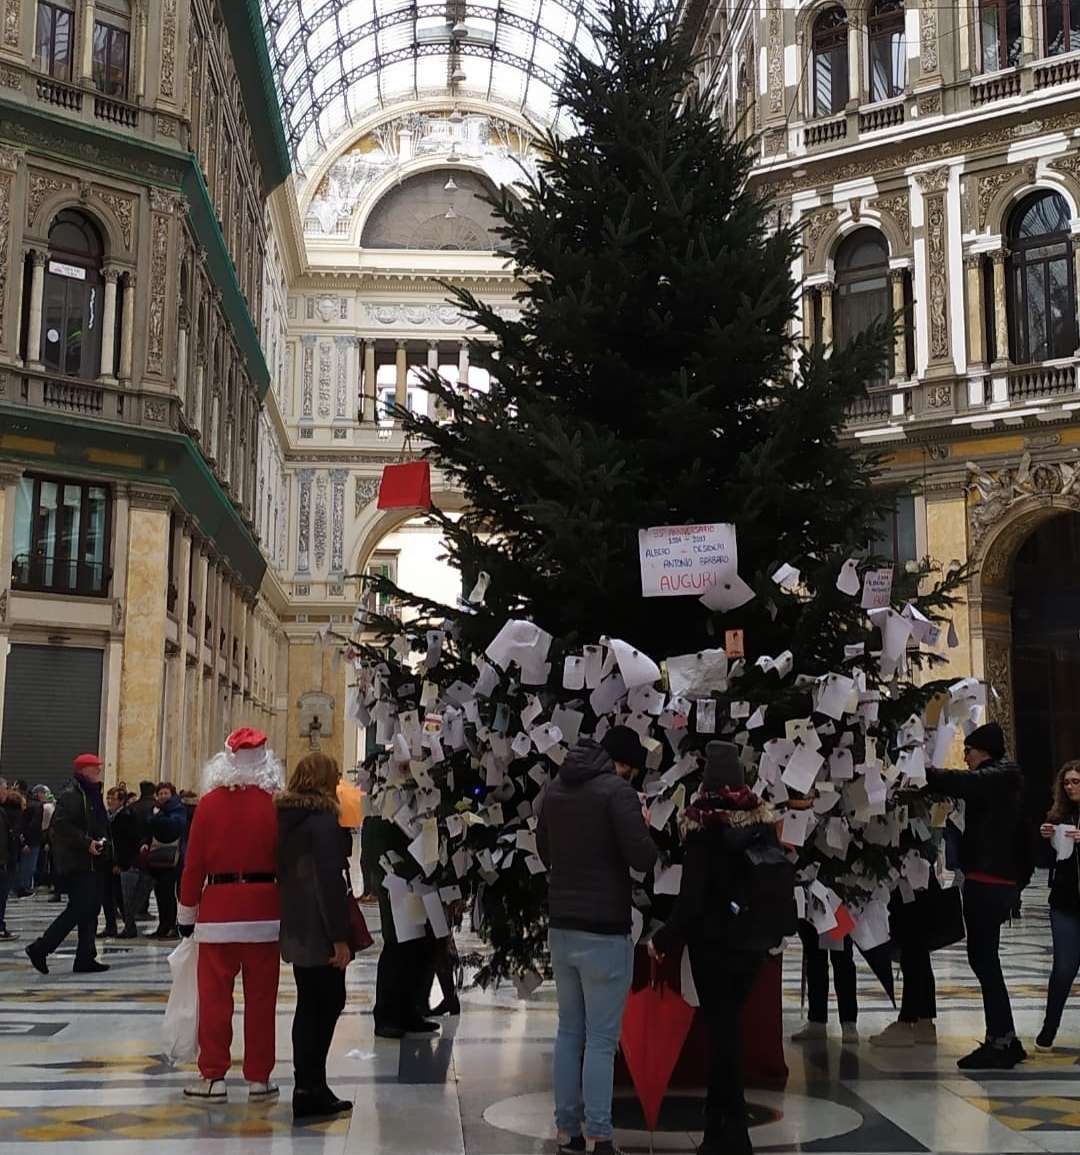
1042	280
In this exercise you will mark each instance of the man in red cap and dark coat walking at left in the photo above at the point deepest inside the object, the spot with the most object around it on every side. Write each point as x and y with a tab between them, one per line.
83	858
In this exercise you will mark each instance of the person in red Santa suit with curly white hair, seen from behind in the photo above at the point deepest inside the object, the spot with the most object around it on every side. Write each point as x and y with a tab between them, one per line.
229	900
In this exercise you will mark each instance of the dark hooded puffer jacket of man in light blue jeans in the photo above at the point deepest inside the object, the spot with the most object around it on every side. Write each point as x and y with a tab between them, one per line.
591	836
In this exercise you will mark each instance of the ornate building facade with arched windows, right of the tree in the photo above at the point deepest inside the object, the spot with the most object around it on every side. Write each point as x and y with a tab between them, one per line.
930	155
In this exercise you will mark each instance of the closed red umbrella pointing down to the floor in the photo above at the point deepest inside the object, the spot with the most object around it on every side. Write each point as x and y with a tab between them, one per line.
656	1025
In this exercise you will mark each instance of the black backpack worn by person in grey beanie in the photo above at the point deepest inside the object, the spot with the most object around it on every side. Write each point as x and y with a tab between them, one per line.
763	905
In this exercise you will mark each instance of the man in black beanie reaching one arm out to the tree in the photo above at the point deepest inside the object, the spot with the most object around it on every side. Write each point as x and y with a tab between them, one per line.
994	860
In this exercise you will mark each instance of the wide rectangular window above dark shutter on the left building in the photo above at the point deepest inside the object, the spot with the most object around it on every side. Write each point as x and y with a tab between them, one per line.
62	538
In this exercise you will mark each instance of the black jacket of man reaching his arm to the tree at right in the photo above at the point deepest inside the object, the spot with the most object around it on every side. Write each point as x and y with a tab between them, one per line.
995	837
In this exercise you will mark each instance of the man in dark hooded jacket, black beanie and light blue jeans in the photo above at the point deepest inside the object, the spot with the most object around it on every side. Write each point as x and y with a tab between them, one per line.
591	836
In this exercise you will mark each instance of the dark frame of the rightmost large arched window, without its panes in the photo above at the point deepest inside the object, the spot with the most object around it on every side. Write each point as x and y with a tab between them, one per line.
1018	296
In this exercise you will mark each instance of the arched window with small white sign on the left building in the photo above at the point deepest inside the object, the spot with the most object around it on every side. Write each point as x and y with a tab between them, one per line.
72	312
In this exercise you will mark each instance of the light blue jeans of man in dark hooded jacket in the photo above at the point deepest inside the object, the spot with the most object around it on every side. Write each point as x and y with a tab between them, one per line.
593	975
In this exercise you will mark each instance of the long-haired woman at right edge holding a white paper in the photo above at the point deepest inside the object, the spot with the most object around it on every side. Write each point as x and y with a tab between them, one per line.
1064	903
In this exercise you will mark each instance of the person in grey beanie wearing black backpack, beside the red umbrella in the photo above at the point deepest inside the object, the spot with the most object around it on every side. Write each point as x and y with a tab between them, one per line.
736	904
